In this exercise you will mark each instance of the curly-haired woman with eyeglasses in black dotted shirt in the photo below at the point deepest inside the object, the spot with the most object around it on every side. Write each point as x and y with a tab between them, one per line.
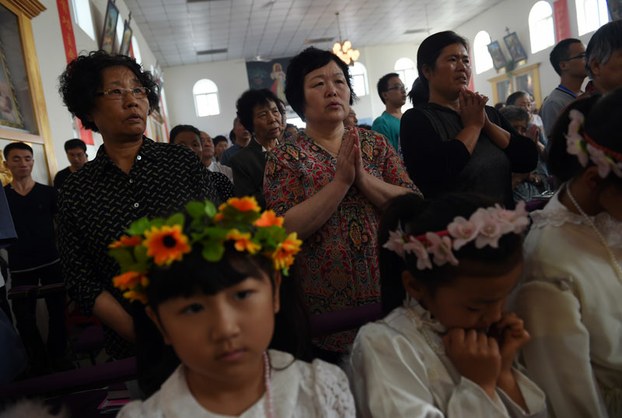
131	177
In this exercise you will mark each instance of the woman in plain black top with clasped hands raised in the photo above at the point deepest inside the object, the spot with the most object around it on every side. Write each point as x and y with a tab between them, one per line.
450	140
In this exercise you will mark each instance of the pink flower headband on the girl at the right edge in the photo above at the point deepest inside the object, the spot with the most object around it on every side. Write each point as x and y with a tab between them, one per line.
586	149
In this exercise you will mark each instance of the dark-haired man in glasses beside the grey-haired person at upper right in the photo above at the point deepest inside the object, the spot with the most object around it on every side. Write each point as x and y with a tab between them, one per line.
568	60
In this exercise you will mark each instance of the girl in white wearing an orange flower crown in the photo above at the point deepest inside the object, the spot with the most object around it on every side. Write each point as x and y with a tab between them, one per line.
210	280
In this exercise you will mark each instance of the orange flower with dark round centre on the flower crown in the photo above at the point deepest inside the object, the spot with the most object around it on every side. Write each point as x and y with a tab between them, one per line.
166	244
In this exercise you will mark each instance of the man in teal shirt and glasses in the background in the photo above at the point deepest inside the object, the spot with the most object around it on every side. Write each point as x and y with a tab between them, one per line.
392	92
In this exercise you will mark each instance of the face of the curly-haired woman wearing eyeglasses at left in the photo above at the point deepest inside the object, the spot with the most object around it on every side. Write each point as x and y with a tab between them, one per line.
120	119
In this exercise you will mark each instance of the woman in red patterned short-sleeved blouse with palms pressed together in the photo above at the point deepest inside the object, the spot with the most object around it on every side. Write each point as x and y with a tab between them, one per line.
330	183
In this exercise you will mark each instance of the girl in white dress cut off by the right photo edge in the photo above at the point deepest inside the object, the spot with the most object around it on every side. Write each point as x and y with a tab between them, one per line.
570	299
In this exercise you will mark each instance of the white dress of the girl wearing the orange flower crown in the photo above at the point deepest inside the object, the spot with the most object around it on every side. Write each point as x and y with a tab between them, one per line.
298	390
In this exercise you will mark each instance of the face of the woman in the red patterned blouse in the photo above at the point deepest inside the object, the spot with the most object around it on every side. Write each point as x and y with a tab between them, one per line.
327	95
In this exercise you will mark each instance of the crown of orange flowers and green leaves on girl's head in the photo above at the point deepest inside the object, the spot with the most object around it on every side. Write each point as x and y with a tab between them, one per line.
158	242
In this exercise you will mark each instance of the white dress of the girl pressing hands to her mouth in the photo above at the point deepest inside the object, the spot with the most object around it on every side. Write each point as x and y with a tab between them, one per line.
399	369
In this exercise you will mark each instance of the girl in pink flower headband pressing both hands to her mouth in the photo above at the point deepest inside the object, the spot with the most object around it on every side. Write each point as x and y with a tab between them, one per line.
446	346
